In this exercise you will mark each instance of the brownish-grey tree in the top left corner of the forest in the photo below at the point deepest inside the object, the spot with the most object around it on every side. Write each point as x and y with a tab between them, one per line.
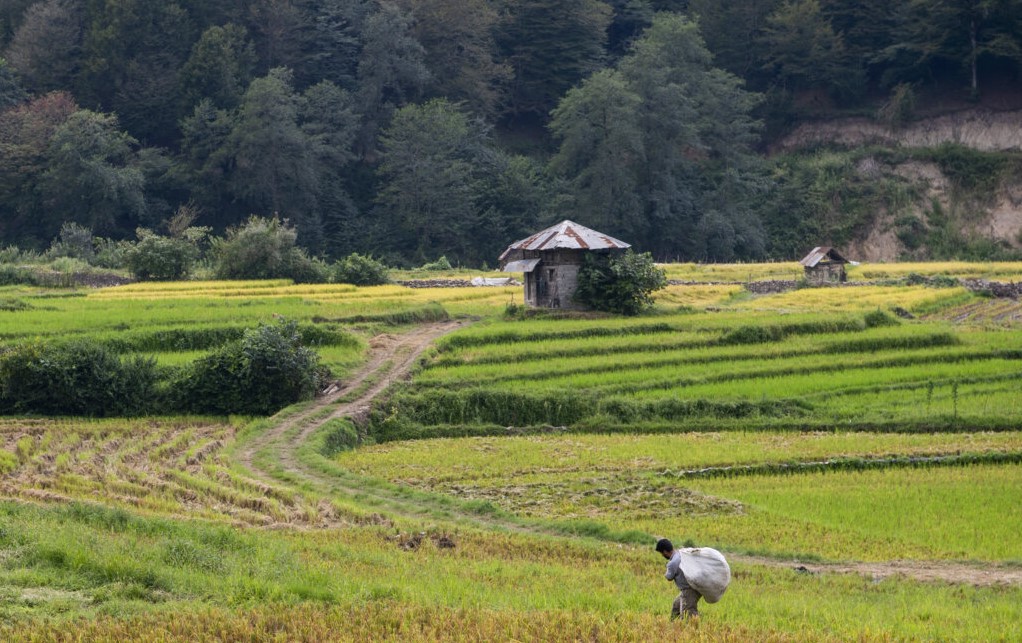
47	49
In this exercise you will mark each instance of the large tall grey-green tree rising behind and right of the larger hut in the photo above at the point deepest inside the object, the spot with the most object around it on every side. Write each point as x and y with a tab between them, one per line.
685	136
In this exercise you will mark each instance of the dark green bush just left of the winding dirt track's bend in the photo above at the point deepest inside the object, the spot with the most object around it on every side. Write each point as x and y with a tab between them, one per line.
268	370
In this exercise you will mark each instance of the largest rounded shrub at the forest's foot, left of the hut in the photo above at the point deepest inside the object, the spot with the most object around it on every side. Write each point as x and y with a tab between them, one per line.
265	249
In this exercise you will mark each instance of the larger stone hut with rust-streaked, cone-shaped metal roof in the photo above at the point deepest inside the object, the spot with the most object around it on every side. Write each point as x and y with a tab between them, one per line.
551	259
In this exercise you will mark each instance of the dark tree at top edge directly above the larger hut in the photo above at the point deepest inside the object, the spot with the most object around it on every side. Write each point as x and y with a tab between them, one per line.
551	45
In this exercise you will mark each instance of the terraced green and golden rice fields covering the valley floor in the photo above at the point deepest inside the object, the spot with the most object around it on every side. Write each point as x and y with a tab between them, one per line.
860	469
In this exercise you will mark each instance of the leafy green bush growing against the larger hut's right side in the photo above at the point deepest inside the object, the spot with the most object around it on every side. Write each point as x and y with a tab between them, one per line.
623	285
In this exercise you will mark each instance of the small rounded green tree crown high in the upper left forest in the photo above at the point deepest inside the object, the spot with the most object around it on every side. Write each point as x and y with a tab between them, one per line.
220	68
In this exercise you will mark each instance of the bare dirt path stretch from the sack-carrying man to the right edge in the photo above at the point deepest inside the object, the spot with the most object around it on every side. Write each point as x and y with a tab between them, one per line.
926	571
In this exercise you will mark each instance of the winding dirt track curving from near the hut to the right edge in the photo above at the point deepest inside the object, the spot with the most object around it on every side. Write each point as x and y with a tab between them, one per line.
273	458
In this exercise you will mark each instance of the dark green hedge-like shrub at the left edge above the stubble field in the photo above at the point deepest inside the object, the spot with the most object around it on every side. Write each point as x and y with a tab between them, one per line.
75	379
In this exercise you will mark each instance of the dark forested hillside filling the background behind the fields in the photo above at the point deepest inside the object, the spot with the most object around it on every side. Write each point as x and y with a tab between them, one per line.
415	129
